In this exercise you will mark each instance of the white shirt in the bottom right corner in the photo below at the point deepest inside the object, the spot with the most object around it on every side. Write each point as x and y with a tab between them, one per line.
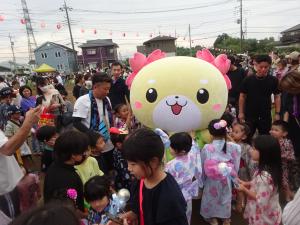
291	212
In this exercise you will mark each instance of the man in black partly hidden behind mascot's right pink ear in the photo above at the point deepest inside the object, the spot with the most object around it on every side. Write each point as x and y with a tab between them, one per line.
236	76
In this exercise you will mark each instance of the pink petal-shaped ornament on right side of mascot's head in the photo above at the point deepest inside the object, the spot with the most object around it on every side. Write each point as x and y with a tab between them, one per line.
221	62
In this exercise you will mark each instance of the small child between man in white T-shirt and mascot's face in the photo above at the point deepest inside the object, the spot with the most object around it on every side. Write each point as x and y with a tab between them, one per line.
124	119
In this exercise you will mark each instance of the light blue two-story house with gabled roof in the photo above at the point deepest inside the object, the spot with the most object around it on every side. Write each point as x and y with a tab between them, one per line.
60	57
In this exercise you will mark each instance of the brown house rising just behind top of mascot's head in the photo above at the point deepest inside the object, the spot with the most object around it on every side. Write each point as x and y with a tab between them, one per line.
164	43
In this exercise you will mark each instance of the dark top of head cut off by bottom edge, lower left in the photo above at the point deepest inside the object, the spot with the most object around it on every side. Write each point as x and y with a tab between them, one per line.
49	214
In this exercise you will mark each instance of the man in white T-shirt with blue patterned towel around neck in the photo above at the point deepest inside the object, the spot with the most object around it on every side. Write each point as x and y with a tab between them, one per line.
93	112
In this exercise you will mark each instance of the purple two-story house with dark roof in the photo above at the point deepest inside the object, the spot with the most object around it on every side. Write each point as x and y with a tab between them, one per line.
98	53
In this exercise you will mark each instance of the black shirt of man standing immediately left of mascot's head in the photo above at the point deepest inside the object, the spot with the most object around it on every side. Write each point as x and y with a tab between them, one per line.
118	92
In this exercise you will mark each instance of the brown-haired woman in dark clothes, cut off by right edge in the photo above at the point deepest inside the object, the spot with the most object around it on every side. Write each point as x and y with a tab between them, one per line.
290	84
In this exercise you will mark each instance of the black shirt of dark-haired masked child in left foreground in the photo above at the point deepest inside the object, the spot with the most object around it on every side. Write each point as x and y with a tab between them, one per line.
60	176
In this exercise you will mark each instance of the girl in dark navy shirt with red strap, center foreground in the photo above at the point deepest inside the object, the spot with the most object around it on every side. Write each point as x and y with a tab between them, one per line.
156	196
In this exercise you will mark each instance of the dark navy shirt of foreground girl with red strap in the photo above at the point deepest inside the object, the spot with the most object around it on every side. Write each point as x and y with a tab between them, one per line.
162	205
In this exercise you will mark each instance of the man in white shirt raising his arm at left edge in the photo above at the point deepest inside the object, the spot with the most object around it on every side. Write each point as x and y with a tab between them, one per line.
10	171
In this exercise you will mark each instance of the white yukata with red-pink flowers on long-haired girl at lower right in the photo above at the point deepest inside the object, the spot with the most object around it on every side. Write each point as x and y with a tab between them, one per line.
265	209
